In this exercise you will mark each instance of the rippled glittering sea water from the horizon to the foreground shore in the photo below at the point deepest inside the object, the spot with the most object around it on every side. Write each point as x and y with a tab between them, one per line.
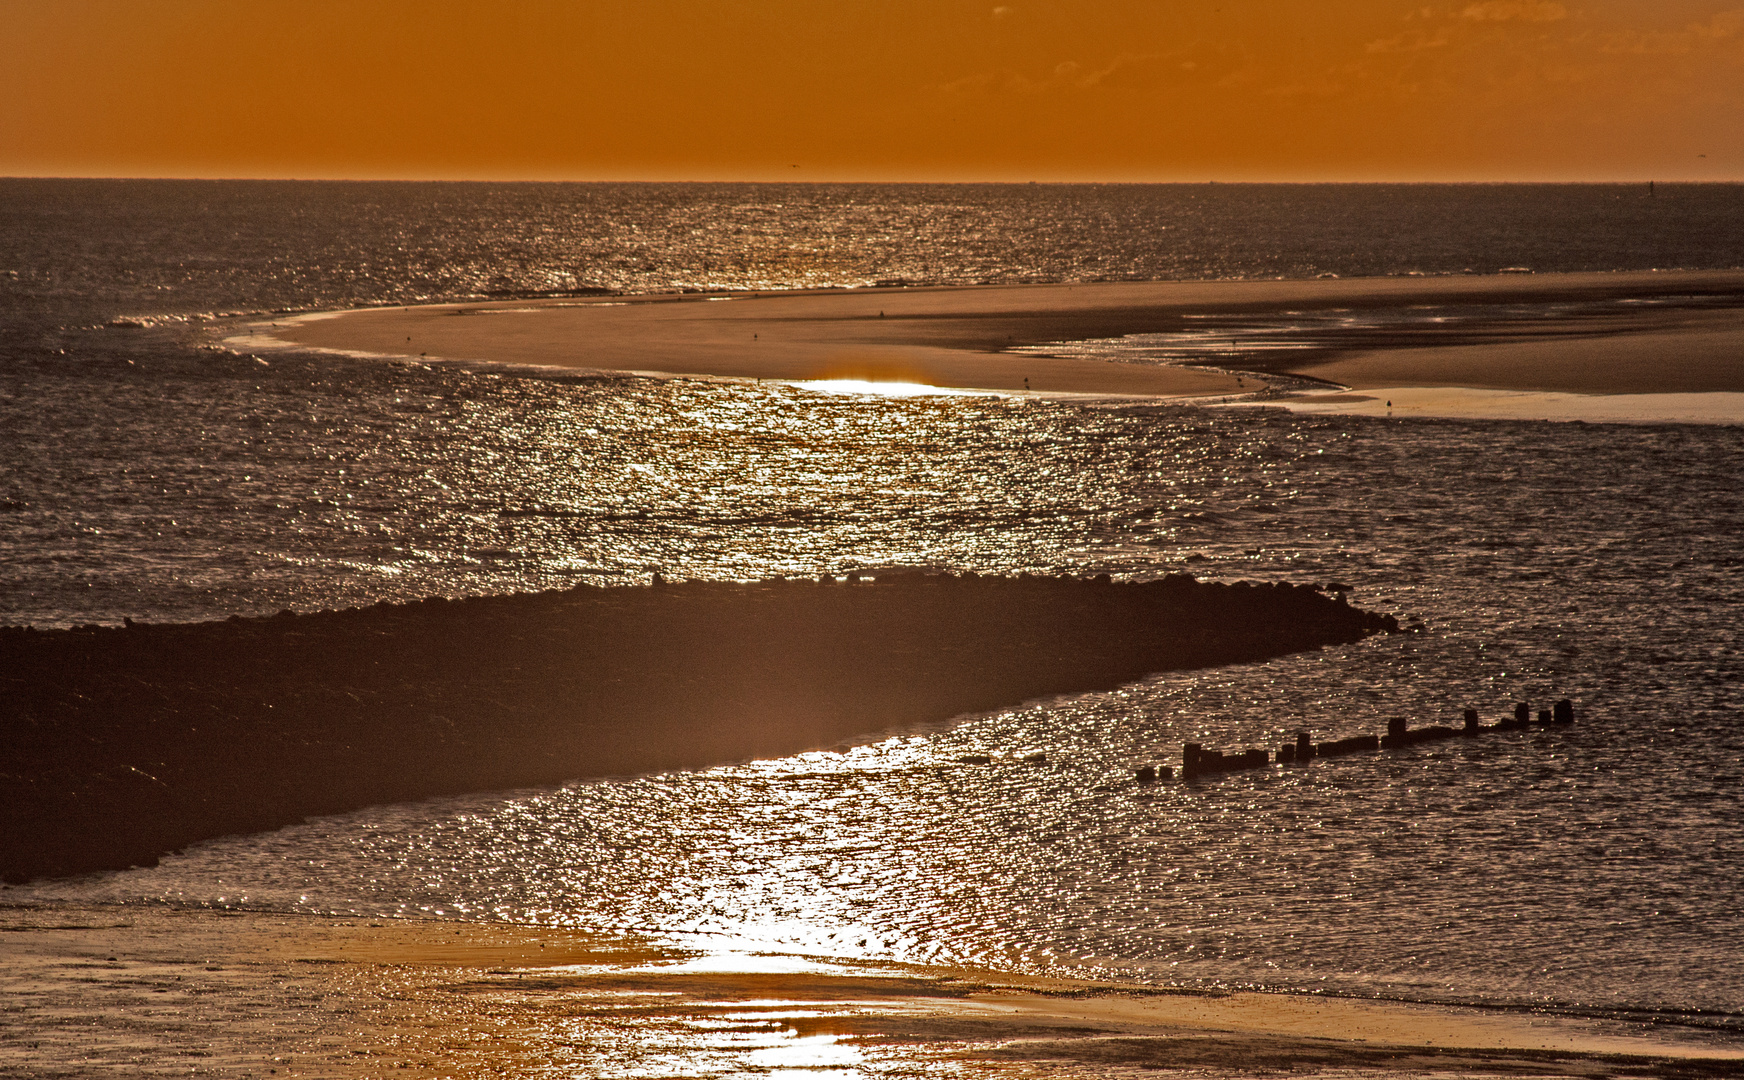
149	472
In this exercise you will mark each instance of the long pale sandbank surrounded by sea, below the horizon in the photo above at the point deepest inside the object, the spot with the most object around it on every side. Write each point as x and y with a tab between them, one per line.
1550	334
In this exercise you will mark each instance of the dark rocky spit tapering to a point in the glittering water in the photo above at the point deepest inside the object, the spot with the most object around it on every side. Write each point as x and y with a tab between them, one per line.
125	744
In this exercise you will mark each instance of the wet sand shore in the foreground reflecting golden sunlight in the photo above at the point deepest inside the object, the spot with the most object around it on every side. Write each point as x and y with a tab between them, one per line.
158	992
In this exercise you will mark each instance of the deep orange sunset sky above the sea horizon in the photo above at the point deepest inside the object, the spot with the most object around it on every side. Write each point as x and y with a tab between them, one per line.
875	90
